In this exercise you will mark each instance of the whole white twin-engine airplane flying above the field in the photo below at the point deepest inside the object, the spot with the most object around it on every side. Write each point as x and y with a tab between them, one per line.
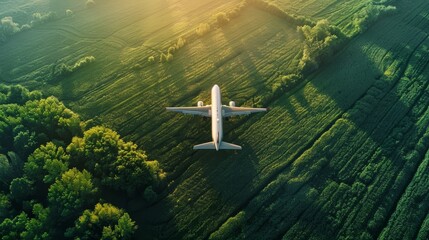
216	111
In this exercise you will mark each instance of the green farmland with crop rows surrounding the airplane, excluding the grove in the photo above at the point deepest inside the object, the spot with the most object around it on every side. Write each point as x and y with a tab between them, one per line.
343	152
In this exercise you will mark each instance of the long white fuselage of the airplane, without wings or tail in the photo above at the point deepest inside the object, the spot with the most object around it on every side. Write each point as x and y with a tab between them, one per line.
216	115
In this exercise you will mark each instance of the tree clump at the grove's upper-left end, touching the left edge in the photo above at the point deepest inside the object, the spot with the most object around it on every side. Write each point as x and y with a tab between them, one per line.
27	121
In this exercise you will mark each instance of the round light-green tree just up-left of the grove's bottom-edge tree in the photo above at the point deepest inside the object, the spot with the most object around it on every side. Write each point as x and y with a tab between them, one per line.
71	194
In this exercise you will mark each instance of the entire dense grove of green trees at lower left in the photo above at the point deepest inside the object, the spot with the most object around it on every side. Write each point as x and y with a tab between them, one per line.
53	171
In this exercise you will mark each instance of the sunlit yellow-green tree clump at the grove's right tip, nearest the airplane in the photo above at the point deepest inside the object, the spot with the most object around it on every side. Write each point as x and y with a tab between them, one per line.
115	163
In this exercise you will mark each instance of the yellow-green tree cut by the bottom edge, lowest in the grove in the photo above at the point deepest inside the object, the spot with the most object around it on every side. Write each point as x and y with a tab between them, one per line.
104	222
